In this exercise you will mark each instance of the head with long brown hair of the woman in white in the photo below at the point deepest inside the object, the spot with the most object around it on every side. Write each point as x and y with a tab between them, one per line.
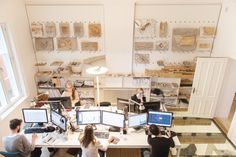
88	136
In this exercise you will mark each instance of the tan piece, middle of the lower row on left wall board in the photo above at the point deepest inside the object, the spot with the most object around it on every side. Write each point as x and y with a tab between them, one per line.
66	43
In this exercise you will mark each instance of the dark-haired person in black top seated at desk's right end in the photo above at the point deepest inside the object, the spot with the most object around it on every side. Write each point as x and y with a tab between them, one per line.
160	144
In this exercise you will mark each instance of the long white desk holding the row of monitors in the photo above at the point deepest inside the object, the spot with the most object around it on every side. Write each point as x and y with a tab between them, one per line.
133	139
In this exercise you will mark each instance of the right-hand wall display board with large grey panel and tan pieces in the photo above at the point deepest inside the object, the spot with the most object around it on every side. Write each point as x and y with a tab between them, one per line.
172	34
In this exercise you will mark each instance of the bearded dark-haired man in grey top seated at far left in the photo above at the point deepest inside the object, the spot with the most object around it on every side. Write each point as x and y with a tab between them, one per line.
17	142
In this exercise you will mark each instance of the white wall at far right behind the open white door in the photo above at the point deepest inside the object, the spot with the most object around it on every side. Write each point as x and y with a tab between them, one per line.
225	46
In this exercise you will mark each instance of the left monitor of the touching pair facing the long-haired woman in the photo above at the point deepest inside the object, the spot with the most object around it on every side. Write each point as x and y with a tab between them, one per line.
85	117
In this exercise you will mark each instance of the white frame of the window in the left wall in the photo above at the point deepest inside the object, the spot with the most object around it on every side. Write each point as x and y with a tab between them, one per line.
6	101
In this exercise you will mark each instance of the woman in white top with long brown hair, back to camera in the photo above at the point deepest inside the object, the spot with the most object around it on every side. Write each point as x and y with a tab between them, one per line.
90	145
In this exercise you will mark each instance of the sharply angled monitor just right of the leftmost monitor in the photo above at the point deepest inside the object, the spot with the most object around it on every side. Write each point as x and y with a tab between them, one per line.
59	120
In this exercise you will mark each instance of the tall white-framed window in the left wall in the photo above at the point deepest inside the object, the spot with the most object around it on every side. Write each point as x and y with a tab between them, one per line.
10	90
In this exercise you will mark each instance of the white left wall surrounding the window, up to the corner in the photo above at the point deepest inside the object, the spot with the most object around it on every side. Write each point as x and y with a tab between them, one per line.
12	12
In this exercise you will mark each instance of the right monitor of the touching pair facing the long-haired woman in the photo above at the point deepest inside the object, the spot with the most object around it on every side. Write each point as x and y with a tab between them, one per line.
113	119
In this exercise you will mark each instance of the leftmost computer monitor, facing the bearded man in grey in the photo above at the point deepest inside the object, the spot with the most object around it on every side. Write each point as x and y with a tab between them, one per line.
35	115
